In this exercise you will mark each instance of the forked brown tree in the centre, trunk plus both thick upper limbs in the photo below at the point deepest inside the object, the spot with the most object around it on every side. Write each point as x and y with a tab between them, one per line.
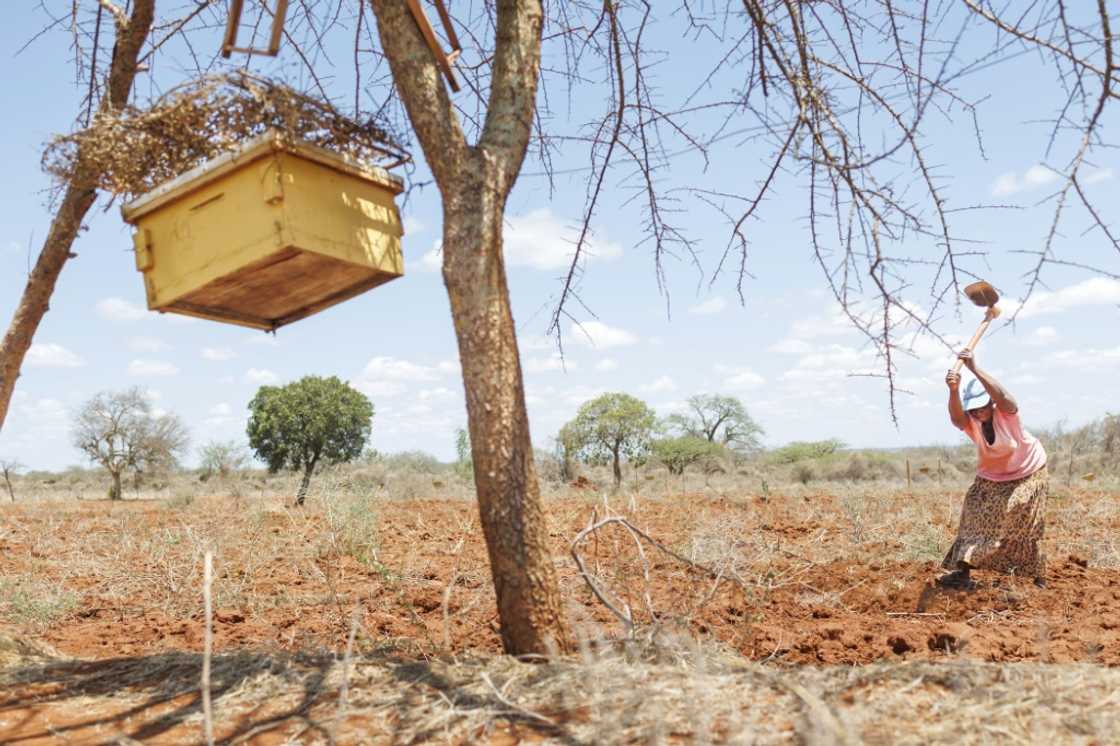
474	183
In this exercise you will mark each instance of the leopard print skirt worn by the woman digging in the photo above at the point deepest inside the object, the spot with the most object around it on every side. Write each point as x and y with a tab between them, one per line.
1002	527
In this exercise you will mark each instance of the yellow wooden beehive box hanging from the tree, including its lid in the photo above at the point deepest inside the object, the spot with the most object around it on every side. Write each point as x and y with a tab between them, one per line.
268	235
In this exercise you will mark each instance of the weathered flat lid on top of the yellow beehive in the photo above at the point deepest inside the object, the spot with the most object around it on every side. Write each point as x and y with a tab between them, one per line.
259	147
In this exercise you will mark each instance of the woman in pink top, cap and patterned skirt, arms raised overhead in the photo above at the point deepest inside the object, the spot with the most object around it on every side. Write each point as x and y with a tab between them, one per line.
1003	518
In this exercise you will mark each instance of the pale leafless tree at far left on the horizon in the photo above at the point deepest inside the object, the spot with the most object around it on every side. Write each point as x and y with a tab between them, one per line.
120	432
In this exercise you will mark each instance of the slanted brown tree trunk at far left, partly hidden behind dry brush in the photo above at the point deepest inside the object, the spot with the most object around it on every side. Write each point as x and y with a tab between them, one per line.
79	198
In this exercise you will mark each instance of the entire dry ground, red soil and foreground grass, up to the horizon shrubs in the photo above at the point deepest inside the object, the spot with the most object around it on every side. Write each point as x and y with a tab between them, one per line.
101	607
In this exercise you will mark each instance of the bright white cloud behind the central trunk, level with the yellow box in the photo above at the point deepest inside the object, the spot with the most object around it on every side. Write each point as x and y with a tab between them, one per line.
539	240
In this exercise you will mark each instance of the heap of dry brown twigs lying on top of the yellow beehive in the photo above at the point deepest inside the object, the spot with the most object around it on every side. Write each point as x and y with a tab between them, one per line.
133	151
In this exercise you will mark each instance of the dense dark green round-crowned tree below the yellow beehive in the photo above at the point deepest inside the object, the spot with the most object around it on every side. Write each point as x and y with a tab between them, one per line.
314	421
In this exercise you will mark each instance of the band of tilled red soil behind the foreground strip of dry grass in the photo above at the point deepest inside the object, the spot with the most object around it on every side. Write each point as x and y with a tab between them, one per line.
799	603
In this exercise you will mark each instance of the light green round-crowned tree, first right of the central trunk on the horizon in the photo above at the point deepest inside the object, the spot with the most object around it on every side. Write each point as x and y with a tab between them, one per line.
612	427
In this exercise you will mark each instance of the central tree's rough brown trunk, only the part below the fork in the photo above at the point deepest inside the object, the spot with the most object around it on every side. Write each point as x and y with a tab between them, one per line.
509	495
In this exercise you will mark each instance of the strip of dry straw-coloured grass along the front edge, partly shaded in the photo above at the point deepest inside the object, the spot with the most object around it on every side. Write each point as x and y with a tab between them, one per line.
609	695
